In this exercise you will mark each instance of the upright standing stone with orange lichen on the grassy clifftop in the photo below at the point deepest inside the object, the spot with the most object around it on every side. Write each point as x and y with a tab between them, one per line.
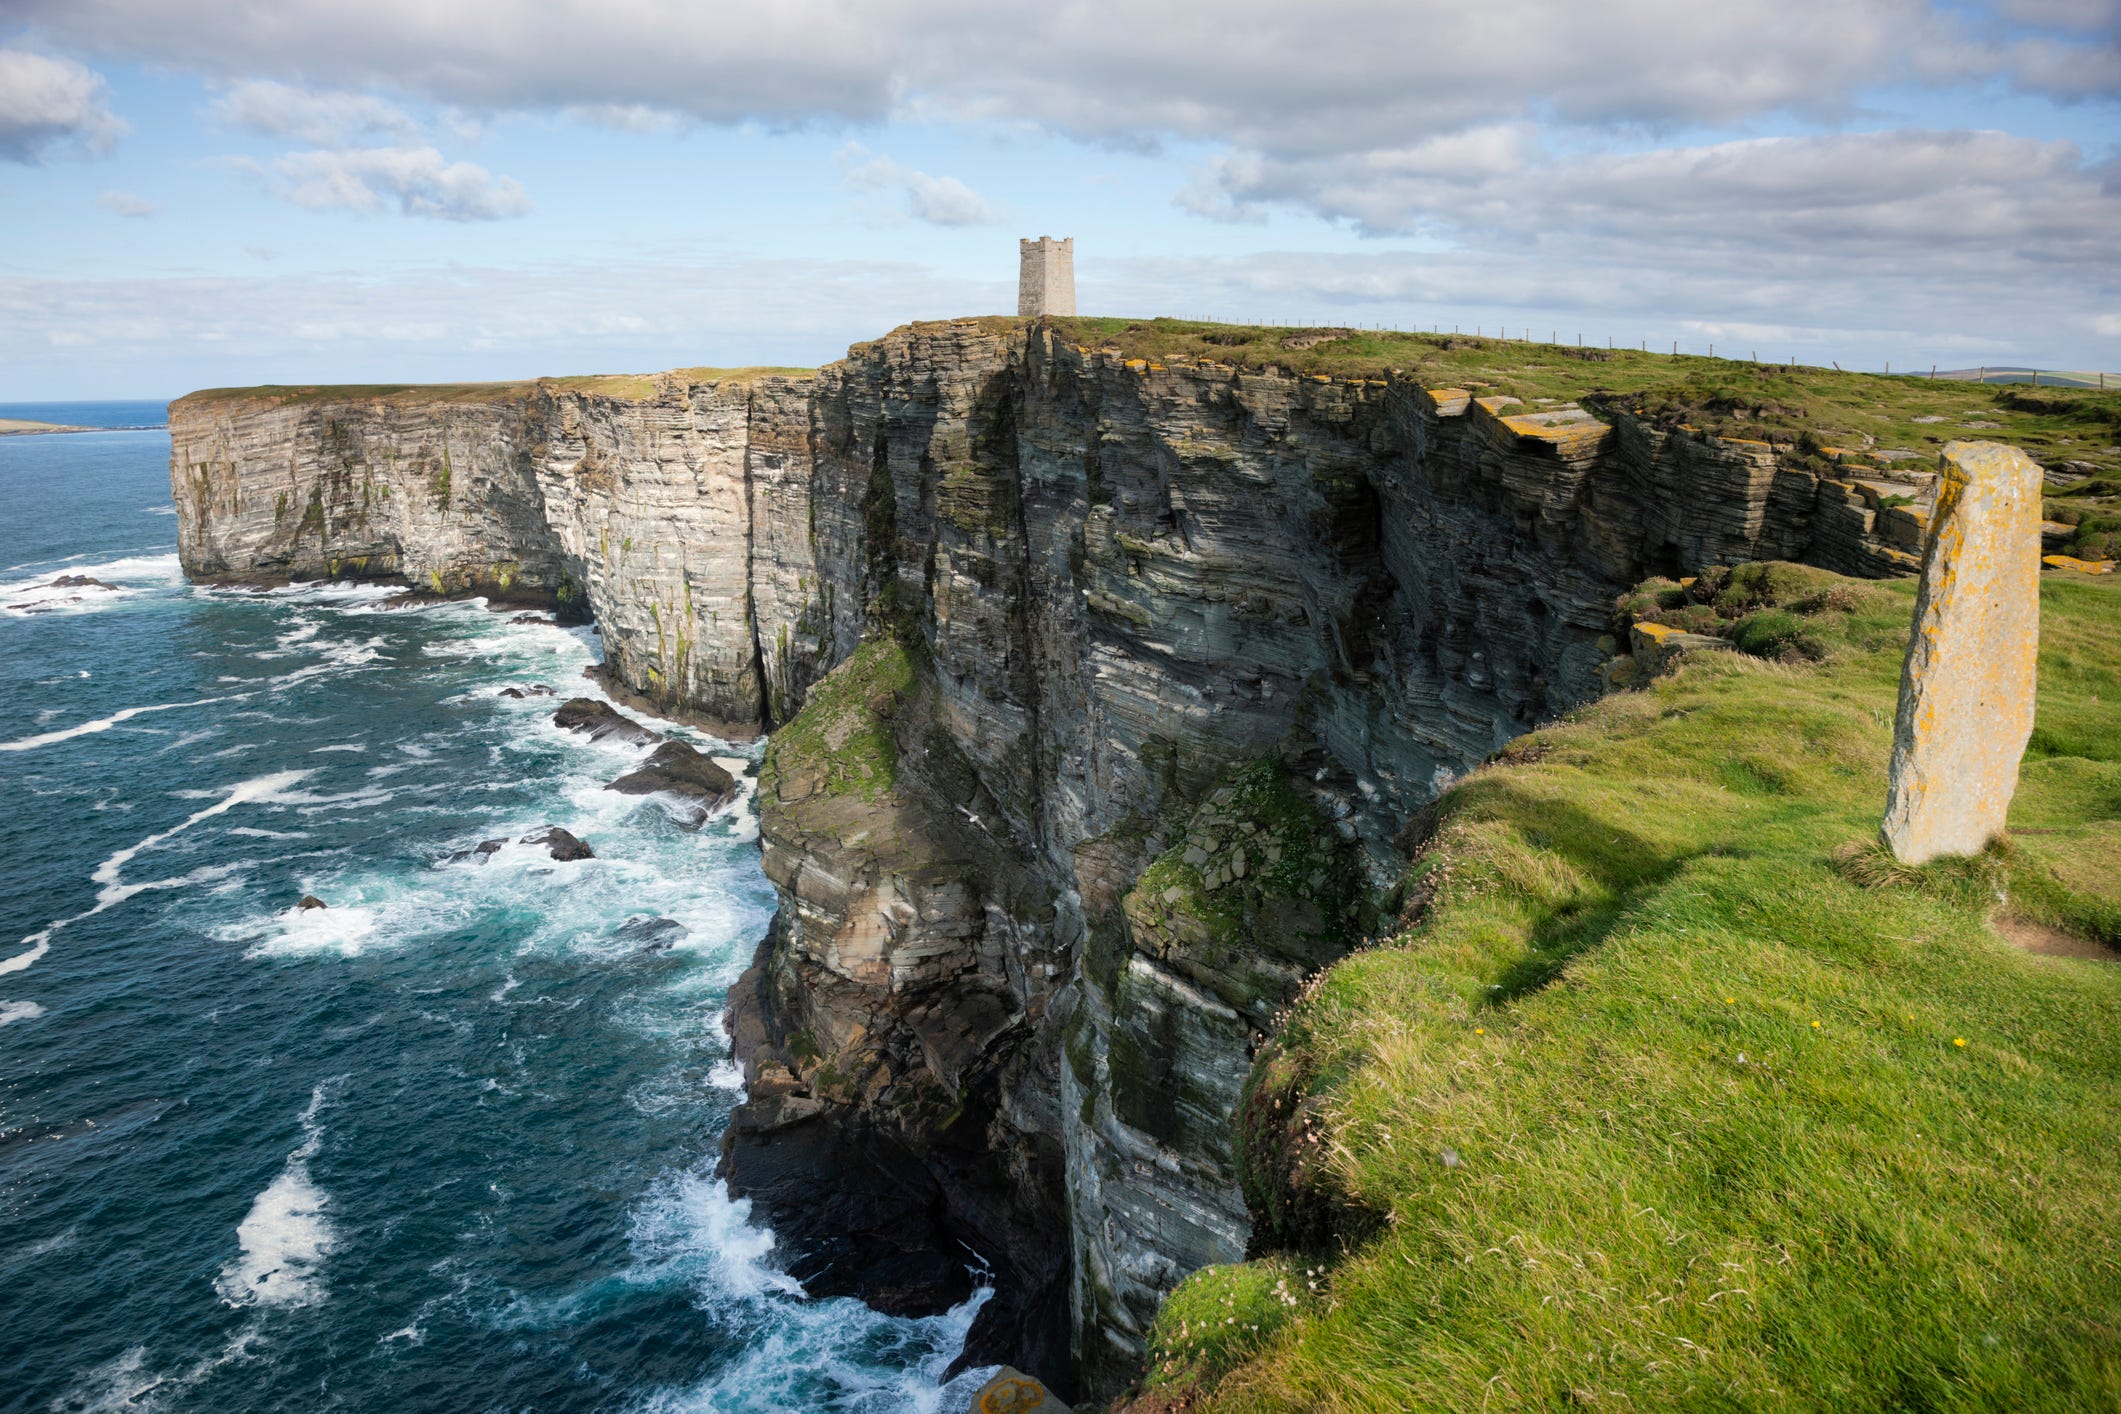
1971	662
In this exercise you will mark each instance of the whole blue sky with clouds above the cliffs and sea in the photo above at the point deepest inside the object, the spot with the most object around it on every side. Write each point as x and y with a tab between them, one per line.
236	192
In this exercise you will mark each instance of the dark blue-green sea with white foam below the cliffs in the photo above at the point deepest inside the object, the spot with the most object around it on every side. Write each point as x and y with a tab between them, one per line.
444	1144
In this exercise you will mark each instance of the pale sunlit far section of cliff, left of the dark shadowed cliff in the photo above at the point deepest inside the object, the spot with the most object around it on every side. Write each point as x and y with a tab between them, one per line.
635	508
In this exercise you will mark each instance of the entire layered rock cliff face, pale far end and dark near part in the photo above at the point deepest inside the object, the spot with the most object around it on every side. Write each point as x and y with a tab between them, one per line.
1142	675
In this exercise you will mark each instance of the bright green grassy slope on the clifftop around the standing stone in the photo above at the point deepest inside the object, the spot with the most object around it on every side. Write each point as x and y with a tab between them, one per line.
1660	1110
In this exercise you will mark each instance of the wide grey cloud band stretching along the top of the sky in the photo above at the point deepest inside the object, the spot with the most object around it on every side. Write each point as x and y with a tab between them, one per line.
1329	75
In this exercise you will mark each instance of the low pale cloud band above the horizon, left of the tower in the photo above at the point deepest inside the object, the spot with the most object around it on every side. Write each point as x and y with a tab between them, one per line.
175	334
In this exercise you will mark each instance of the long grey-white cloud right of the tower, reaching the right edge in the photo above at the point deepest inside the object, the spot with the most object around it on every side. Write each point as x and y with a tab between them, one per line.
1834	207
